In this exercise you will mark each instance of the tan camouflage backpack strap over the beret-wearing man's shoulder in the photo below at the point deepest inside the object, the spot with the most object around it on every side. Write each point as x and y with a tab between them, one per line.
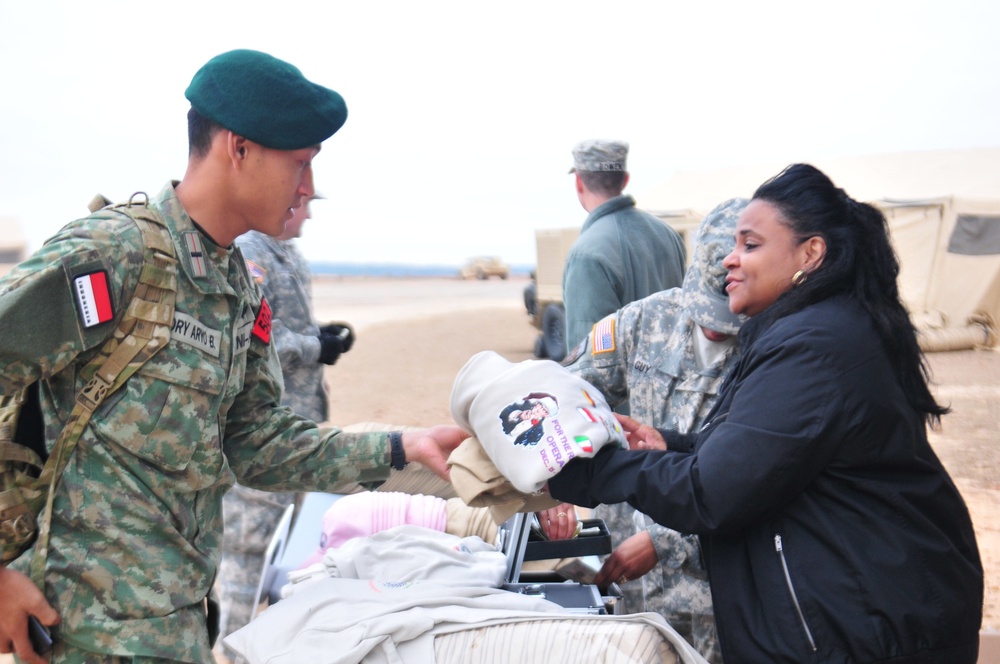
143	330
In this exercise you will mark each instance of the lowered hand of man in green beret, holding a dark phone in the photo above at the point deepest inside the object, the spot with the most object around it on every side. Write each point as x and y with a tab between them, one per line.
19	598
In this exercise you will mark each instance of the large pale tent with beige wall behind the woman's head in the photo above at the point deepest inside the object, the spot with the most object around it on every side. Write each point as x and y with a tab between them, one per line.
943	208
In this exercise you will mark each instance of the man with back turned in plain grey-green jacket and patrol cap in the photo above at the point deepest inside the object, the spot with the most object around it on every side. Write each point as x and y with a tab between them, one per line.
622	254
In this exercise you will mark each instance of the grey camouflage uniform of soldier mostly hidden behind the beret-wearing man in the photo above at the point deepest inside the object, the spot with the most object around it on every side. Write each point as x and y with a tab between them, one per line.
251	516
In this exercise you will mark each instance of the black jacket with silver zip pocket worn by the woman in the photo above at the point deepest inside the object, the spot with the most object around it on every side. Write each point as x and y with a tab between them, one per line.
830	529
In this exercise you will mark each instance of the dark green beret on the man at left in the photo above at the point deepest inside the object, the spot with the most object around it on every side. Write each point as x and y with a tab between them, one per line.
265	100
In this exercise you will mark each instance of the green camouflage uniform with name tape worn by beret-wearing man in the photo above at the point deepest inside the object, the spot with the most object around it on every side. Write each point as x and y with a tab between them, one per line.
137	520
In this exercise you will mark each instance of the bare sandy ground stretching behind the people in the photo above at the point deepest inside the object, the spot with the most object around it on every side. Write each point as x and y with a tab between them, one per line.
414	336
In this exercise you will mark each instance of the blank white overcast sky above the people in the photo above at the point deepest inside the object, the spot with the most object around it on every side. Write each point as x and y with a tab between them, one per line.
462	114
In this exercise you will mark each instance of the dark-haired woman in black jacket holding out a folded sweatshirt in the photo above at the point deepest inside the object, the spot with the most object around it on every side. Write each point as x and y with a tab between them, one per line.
830	529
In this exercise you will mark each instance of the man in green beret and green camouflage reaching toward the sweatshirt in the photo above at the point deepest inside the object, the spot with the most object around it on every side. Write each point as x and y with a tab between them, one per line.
137	514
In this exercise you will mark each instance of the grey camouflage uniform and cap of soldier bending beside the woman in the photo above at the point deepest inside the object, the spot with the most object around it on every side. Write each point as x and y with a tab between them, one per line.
651	360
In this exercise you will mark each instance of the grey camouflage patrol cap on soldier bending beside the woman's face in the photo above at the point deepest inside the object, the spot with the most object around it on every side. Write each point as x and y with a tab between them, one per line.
705	297
